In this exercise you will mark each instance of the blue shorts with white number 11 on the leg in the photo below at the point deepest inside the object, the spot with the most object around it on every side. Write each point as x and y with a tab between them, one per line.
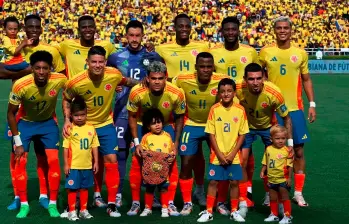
190	139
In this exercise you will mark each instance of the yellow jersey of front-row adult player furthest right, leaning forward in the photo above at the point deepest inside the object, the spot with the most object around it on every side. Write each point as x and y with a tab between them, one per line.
260	108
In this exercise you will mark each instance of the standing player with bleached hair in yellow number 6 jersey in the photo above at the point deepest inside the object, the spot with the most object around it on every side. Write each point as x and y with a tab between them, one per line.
287	68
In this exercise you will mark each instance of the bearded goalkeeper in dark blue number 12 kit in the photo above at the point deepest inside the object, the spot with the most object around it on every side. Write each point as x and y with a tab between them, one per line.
131	62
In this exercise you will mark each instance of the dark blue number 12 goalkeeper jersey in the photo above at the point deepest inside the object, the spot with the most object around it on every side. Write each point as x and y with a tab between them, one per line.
131	64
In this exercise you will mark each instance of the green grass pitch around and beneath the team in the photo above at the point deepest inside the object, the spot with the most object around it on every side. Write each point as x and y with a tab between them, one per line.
326	183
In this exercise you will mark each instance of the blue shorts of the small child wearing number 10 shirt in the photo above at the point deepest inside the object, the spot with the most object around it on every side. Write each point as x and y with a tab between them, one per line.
79	179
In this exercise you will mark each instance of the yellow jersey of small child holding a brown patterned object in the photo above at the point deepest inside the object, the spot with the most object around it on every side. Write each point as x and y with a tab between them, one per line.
157	143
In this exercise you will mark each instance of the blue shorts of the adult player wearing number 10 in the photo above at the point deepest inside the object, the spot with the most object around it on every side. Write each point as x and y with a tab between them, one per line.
107	140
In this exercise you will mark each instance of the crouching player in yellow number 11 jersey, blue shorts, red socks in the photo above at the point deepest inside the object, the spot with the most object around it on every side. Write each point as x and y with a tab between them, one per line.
200	90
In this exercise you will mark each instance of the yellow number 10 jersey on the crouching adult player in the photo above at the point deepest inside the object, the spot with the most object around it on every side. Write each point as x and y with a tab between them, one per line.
98	96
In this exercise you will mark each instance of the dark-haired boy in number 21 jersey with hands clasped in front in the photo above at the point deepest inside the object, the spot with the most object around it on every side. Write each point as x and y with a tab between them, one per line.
226	126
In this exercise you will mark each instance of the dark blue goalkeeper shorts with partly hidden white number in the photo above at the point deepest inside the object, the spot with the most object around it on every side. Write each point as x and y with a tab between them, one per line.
123	133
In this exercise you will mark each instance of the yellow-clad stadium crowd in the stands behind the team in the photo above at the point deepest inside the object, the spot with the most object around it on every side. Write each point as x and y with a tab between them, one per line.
318	23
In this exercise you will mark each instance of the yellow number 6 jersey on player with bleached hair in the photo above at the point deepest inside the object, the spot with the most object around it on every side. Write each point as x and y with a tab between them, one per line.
284	70
